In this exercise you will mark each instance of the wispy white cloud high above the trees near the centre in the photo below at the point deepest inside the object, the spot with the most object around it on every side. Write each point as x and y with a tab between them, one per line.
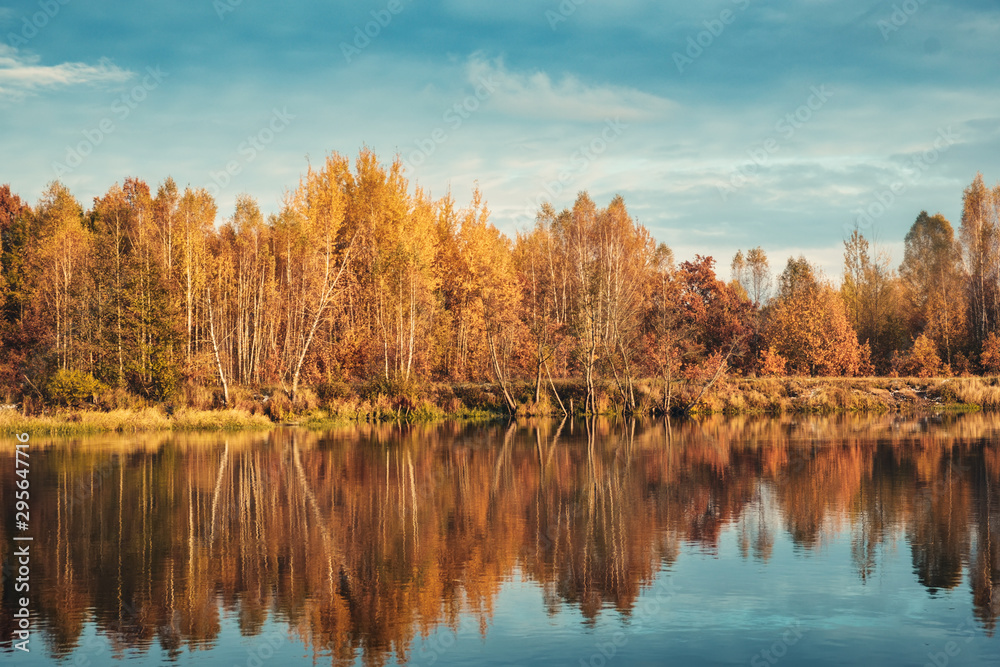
537	95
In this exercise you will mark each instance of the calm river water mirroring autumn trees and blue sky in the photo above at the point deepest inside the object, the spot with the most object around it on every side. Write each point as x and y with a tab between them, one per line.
751	541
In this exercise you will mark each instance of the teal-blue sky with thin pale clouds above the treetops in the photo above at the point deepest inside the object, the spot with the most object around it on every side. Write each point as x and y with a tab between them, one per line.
725	124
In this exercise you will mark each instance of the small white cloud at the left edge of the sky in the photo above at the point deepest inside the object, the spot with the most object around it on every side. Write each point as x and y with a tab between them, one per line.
22	74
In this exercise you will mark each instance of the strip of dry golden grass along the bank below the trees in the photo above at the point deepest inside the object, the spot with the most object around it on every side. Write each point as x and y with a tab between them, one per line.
483	402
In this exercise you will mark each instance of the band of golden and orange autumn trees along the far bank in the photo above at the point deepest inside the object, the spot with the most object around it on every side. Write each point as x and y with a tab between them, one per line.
362	285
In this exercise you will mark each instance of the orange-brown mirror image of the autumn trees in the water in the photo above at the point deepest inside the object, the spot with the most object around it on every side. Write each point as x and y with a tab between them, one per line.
362	539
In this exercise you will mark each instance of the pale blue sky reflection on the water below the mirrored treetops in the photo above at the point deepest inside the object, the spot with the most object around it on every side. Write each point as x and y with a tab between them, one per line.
714	609
